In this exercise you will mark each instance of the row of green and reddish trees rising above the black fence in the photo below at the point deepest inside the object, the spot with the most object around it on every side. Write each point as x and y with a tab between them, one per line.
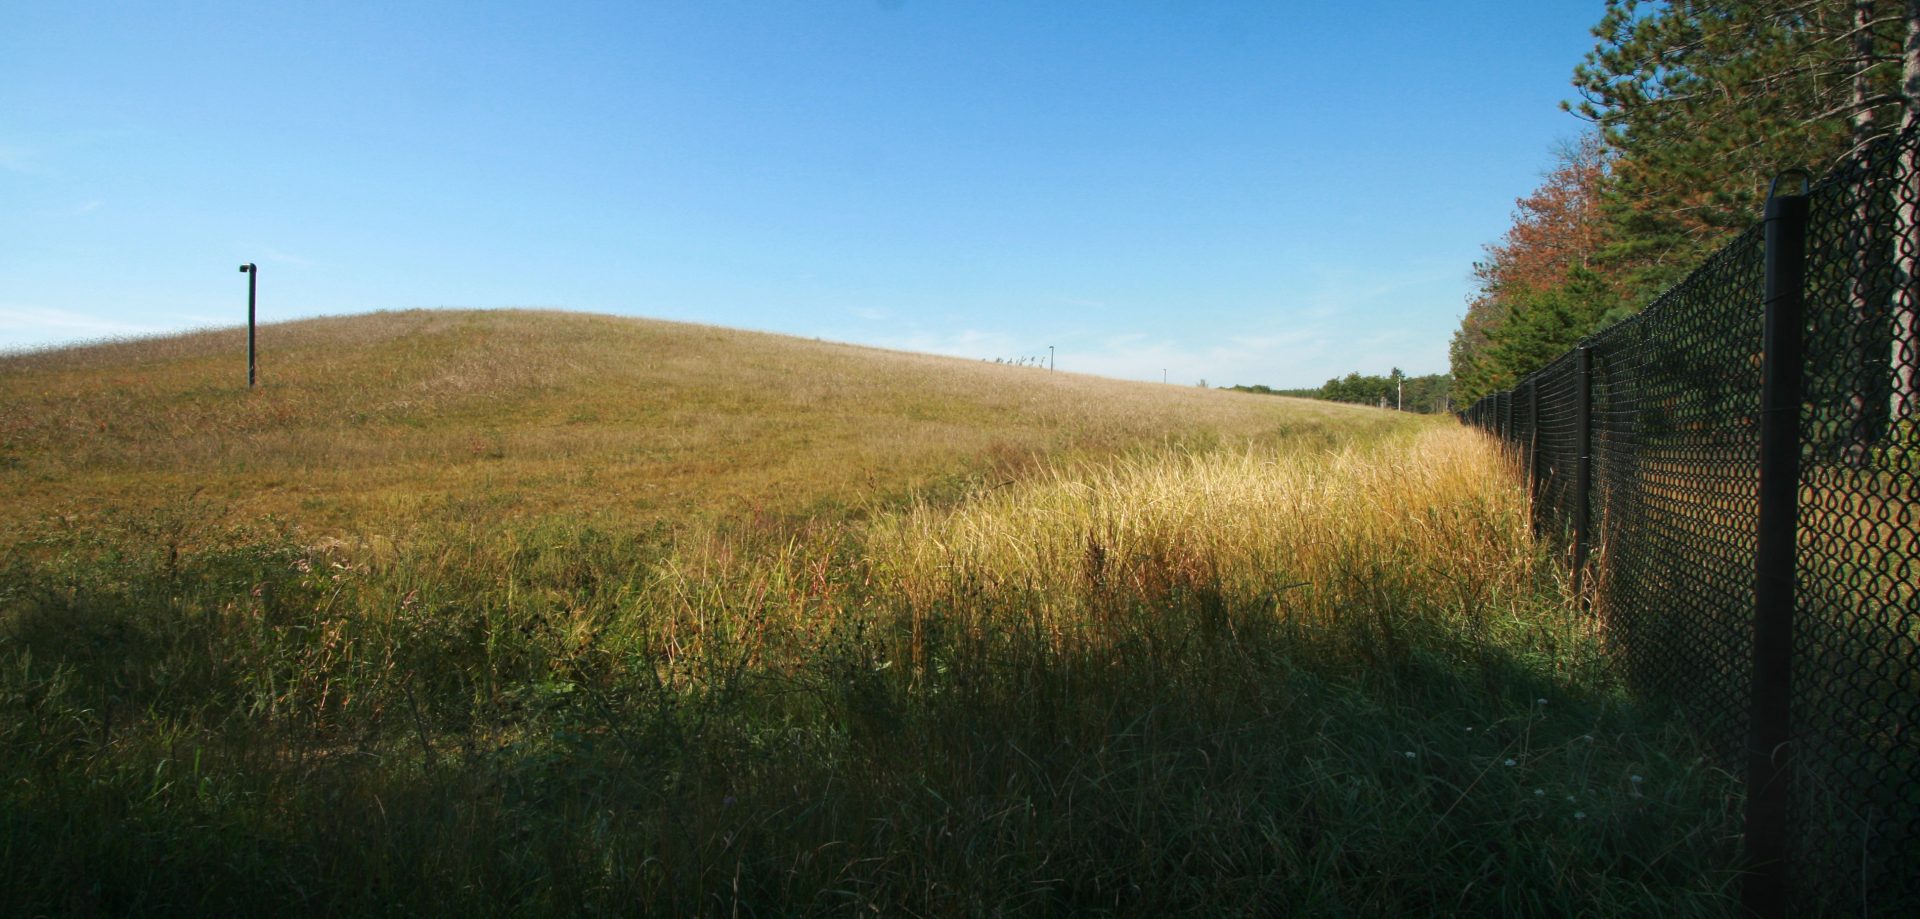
1694	106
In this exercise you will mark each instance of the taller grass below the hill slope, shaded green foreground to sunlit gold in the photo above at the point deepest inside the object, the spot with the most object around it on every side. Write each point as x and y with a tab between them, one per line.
1295	678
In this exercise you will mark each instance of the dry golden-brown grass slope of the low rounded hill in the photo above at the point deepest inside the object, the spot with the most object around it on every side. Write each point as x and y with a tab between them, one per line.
377	421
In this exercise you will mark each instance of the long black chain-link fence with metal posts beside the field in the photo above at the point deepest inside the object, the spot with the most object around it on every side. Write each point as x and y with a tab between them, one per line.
1735	477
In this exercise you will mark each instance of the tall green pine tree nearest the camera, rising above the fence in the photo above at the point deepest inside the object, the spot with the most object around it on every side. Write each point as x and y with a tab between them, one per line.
1704	103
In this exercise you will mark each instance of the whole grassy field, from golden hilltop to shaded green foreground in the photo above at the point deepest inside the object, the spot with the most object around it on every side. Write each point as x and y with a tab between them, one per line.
890	634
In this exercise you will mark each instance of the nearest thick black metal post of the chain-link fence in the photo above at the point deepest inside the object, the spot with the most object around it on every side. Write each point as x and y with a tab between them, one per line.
1769	776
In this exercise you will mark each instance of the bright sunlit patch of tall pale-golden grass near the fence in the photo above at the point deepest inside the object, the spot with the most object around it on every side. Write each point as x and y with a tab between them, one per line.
1253	523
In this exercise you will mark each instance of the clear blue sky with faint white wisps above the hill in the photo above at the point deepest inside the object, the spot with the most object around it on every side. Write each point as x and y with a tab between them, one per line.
1247	193
